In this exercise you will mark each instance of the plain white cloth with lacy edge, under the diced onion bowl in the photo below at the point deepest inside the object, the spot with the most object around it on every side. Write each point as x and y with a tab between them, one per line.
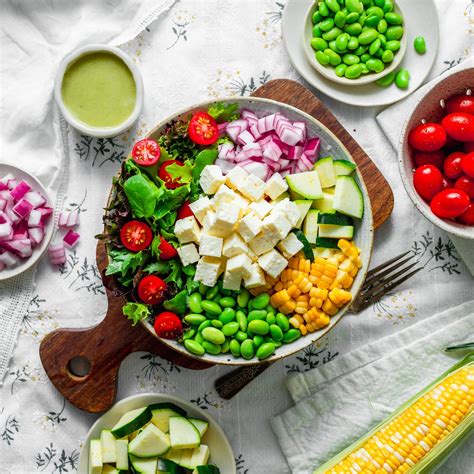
33	42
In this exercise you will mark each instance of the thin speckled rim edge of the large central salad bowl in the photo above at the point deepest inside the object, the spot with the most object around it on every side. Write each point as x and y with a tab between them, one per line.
367	221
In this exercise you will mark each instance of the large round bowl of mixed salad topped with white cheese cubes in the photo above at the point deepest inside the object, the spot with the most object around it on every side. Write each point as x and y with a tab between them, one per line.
238	231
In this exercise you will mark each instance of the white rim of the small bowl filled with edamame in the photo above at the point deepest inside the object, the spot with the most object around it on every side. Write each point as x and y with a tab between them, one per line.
328	72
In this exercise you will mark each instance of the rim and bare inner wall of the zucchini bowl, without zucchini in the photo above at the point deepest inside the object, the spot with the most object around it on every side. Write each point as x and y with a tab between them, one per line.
221	453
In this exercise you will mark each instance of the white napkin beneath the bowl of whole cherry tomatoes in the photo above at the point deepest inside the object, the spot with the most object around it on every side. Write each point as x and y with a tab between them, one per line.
392	121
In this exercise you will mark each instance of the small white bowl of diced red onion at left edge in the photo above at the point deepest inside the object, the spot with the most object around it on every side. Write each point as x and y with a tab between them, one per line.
26	221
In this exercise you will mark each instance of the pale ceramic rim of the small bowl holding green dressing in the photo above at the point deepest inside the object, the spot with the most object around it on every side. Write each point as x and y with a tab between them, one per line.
101	132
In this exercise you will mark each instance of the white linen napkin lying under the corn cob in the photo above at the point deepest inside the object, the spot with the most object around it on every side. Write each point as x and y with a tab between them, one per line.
341	401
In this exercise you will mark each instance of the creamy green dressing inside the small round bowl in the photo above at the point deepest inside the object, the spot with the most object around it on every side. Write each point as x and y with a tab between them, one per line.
99	90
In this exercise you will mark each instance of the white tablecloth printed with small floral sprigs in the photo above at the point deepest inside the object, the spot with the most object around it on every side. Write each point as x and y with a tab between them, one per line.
196	51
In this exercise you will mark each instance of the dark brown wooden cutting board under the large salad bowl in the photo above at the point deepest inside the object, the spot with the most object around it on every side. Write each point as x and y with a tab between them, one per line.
103	347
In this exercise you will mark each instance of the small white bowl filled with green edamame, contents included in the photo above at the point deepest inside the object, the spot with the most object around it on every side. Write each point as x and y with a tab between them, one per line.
354	42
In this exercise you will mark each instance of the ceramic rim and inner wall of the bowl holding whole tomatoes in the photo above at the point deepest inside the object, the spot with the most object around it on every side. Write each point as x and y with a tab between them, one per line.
455	83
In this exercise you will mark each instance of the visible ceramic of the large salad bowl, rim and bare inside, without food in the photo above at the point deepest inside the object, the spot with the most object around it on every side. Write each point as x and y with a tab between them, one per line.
330	145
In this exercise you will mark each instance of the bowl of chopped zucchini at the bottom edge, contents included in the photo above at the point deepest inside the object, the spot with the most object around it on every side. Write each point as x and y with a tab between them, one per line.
156	434
